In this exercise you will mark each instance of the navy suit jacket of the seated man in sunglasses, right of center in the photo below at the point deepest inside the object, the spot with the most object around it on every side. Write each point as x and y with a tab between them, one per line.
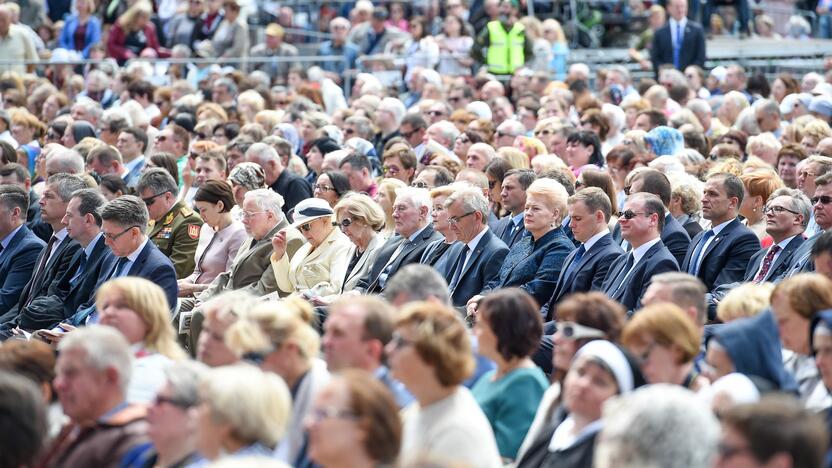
656	260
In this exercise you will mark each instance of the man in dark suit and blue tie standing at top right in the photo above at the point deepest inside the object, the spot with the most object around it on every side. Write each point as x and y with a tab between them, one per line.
679	42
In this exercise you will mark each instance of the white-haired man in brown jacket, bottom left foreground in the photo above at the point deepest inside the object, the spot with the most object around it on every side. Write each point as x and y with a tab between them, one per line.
92	374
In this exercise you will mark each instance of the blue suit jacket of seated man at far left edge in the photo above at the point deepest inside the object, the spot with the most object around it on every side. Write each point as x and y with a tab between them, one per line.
17	263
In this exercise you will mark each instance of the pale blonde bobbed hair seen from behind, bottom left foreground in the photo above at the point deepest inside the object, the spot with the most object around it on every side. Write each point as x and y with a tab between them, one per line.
256	404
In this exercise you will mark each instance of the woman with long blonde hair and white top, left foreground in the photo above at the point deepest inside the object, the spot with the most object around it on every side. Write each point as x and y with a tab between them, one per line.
139	309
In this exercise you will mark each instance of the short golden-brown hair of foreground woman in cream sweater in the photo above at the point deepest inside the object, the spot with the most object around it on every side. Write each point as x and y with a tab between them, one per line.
441	341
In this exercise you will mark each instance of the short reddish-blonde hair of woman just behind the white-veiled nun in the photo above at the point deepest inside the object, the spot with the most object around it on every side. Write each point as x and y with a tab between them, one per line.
667	325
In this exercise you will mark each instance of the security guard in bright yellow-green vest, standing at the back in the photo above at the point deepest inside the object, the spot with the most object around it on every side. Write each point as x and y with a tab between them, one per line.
502	45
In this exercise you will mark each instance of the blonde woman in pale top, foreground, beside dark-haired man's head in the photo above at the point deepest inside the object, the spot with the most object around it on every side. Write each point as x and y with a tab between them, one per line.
279	338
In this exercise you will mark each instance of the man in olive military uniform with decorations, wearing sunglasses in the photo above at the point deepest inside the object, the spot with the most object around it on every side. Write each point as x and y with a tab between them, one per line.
174	227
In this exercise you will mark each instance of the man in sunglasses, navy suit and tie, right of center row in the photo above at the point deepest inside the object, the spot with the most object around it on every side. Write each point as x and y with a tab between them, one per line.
629	276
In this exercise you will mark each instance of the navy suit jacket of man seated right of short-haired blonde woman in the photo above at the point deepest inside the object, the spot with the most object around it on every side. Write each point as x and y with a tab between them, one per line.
589	275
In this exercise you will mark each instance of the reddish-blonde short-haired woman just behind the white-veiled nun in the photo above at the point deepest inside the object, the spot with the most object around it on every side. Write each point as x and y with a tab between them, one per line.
667	341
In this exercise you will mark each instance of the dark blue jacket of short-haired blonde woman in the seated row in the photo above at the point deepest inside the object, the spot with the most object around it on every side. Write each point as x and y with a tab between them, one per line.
534	266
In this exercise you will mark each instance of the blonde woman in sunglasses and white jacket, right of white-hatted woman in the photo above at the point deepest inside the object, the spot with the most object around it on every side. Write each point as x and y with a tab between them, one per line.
361	219
